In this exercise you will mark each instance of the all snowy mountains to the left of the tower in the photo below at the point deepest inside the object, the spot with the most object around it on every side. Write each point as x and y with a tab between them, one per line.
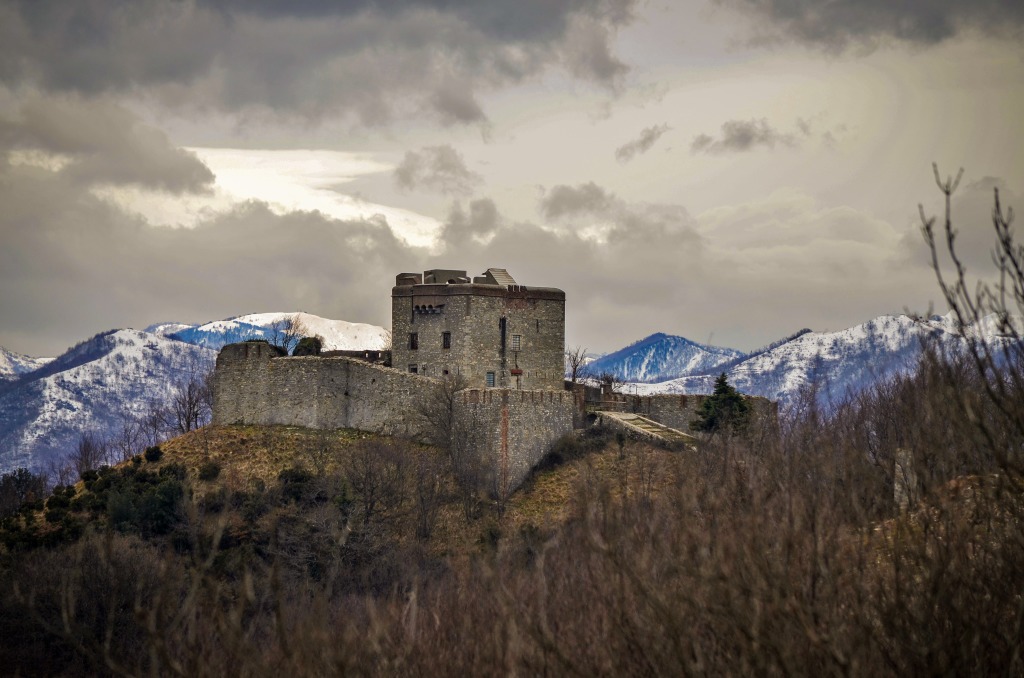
97	386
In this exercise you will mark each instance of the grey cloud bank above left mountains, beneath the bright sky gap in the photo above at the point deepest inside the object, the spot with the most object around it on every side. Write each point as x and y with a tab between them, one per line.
72	265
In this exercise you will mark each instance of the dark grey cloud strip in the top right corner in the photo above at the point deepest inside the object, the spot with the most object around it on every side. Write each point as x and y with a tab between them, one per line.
836	24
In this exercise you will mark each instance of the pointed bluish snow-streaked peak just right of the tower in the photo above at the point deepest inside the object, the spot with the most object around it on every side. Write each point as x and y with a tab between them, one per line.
661	357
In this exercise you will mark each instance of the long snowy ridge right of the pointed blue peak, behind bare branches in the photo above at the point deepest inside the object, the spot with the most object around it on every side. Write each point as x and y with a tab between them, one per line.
836	363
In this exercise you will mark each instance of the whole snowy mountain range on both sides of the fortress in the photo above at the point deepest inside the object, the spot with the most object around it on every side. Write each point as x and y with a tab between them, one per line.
47	404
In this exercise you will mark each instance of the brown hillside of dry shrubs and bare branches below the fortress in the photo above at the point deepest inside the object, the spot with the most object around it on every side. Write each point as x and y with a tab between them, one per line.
258	552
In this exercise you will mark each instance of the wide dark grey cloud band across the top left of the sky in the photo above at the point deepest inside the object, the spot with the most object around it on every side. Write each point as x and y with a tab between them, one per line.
315	59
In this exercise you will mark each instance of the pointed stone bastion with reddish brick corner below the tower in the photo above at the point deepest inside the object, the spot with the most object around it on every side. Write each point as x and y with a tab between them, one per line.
515	430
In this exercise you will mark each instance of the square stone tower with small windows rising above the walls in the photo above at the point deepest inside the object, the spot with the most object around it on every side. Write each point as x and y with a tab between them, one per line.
490	331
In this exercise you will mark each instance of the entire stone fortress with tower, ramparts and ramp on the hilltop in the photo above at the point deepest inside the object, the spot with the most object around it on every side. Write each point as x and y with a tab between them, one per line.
499	344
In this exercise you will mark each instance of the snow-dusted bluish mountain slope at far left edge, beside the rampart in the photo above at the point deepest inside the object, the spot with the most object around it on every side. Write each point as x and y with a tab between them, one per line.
92	388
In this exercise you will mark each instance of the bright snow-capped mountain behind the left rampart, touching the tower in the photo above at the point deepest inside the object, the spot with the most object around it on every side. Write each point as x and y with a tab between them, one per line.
337	335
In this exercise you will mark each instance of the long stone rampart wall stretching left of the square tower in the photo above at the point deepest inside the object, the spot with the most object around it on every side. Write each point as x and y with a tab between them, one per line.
253	386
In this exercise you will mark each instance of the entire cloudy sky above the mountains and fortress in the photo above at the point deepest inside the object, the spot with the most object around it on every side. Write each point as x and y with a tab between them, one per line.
729	171
